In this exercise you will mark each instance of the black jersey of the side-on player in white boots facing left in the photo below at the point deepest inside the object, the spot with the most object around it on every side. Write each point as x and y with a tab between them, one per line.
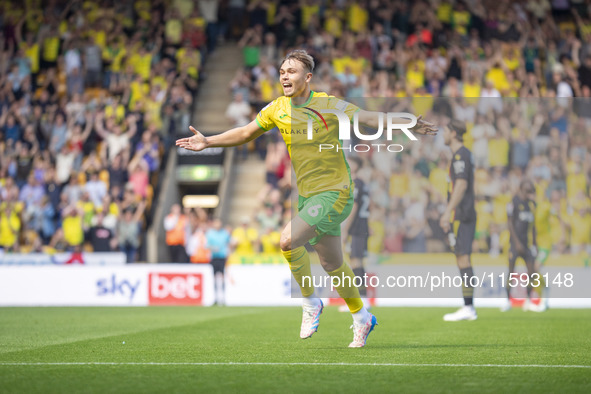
462	167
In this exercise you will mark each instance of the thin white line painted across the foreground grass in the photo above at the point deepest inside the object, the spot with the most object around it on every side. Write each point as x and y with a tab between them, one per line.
296	364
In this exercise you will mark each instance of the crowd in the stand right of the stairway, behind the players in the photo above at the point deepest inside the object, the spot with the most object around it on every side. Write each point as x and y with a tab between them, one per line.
517	72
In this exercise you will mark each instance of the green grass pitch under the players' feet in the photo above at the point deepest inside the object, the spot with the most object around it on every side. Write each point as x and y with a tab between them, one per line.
404	336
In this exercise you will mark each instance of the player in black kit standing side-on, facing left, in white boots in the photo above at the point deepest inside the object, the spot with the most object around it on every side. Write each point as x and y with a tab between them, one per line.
461	205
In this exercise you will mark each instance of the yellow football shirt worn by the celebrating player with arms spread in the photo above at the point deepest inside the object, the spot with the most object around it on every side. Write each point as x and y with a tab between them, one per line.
316	171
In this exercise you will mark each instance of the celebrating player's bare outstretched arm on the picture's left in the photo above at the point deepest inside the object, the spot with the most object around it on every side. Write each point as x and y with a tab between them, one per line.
233	137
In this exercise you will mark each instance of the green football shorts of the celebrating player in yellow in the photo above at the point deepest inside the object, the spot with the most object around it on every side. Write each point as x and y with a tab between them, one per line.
326	211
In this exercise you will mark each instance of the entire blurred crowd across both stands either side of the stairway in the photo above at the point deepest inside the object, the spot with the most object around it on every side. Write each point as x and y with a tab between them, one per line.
92	94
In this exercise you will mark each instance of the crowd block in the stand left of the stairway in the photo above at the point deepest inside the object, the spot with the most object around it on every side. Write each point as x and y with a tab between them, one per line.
92	94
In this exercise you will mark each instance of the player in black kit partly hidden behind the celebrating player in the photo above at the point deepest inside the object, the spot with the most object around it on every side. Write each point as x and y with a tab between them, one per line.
357	226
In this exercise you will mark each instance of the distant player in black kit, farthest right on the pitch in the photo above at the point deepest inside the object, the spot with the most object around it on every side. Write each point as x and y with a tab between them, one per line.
521	221
